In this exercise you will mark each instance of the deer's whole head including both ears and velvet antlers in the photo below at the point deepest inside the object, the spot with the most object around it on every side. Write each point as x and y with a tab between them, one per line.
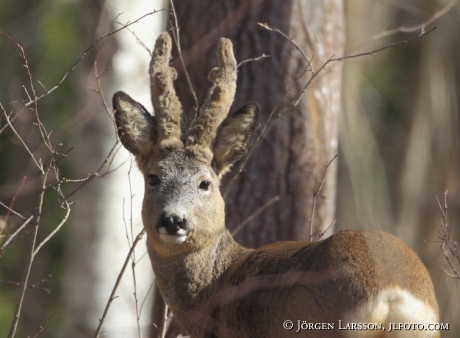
183	209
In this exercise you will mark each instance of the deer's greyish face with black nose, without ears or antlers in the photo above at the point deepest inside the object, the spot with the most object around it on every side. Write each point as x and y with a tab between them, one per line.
183	208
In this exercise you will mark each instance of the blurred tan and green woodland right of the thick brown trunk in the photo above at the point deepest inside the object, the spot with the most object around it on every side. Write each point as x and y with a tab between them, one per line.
399	145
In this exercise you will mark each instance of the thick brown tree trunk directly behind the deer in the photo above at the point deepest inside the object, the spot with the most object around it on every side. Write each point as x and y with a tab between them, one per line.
293	154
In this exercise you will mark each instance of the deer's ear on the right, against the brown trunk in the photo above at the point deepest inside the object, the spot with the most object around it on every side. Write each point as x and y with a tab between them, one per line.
234	136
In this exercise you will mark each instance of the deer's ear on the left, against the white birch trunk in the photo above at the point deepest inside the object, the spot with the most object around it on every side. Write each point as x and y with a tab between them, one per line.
137	129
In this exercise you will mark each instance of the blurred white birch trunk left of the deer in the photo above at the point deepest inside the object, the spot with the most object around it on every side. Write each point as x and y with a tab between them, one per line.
97	244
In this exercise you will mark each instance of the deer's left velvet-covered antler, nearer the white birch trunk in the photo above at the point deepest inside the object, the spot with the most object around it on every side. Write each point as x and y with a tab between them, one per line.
166	104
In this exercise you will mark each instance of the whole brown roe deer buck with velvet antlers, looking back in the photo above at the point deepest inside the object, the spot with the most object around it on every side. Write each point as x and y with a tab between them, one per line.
217	288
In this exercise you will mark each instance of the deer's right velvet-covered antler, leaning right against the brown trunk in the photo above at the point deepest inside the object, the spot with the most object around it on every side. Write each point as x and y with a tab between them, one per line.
219	100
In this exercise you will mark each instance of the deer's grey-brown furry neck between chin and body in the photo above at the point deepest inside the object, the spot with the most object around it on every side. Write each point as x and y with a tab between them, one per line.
188	280
